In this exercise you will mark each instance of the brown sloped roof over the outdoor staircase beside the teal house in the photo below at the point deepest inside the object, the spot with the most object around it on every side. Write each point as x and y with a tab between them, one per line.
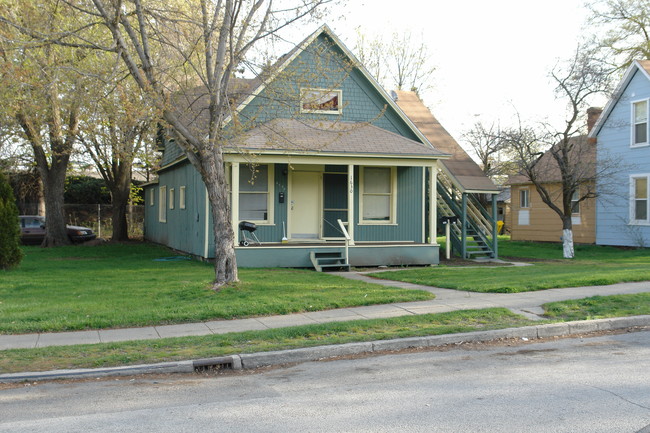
460	165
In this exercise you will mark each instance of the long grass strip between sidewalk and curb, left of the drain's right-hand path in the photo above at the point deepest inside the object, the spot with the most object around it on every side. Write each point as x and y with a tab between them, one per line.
170	349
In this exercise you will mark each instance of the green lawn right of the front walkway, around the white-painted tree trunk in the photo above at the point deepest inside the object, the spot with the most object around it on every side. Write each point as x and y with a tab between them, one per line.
592	265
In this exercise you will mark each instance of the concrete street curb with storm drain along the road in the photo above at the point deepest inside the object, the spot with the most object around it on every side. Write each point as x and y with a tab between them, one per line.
292	356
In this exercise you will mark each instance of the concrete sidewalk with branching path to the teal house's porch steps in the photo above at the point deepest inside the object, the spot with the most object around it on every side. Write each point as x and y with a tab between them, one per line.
528	304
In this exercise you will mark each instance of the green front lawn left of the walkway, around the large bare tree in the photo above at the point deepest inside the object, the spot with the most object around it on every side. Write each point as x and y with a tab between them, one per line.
109	286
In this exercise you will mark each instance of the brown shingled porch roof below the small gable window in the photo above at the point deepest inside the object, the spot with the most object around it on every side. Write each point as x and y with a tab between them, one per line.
320	137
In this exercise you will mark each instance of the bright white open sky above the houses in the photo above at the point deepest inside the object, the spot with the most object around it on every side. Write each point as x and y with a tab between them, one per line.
493	58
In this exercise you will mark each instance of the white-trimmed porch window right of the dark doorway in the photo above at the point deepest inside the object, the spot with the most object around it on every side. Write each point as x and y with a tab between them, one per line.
378	185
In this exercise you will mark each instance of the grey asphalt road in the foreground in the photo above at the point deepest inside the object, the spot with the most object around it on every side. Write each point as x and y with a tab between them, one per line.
599	384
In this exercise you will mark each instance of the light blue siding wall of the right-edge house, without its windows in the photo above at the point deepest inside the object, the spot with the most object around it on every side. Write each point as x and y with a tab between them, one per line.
613	204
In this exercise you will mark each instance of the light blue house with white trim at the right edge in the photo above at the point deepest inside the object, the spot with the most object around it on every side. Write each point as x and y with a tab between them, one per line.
623	212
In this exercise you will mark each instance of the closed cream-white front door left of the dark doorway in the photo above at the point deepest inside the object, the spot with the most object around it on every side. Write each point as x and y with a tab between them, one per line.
305	205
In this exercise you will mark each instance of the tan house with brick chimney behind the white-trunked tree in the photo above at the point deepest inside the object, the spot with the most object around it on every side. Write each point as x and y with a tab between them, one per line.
532	219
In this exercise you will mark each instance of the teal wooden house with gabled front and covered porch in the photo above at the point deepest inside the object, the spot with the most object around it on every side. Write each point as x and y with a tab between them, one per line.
322	161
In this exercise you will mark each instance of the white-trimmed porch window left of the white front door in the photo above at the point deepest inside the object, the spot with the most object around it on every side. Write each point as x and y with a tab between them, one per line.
256	193
